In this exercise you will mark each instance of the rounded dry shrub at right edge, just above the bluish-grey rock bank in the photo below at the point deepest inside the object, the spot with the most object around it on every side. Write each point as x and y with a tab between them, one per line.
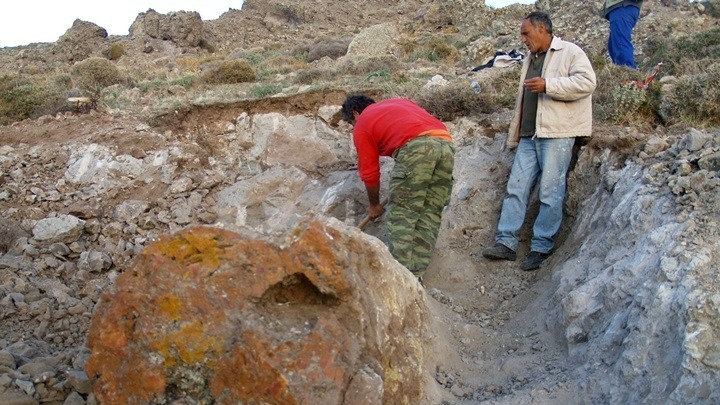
695	99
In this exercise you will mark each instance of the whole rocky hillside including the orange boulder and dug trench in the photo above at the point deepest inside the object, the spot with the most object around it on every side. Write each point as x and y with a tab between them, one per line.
97	198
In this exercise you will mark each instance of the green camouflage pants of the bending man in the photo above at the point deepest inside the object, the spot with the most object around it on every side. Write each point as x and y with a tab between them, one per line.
420	187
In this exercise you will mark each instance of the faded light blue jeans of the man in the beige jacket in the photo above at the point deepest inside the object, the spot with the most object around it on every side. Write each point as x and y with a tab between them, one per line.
548	159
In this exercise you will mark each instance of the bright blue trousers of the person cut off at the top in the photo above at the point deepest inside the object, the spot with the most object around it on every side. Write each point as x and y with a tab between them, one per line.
622	22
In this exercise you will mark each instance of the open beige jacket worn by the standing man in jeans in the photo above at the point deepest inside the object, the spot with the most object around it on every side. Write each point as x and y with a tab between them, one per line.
565	109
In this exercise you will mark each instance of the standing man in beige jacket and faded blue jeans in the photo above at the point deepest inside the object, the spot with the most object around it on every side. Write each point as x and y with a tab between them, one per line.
553	107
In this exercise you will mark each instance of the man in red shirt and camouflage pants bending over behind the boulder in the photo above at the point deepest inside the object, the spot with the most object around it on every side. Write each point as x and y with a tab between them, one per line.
421	180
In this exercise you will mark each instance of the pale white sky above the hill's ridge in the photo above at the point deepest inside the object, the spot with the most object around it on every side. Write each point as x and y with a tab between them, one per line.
26	21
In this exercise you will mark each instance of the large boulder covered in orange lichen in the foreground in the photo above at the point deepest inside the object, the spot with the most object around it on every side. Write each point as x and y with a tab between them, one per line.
211	315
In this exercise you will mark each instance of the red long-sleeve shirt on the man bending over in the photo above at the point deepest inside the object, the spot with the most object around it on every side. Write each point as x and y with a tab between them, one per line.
384	127
